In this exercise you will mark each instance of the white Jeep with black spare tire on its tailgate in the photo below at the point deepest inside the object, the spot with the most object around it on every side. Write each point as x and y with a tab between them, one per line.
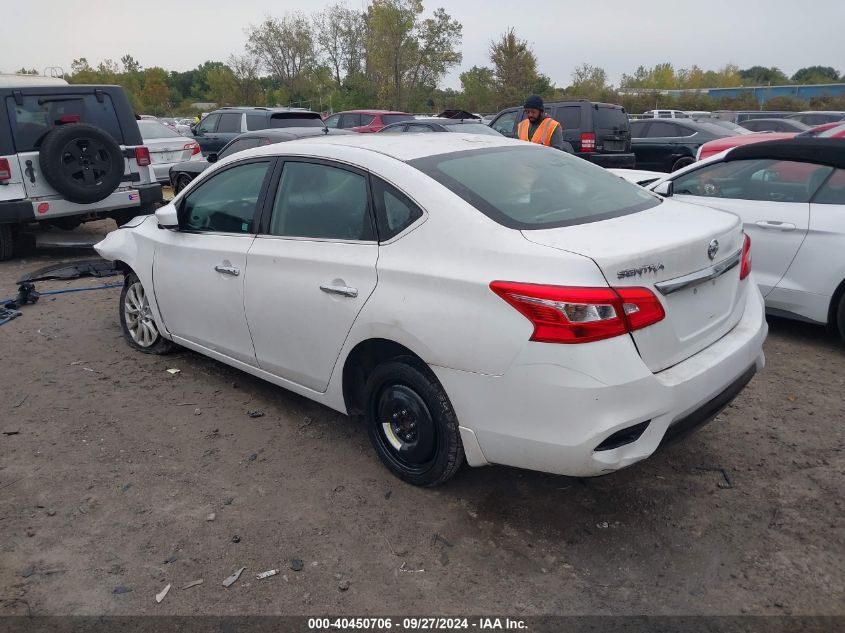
69	154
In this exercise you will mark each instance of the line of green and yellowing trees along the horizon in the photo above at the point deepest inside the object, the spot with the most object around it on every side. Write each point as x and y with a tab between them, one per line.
388	55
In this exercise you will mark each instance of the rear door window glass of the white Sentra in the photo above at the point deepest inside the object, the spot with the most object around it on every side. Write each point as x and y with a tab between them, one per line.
320	201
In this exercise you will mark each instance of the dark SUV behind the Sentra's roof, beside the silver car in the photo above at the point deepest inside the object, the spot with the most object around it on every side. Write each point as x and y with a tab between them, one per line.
221	126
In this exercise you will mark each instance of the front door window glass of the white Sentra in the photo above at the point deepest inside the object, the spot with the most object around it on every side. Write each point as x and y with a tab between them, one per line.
226	202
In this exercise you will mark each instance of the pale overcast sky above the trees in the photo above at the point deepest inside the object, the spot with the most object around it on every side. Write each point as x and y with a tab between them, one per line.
615	35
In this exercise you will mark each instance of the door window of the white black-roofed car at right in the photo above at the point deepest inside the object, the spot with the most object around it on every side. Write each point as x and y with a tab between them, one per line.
759	179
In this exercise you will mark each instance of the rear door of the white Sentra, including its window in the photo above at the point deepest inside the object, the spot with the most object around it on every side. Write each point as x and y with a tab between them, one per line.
311	270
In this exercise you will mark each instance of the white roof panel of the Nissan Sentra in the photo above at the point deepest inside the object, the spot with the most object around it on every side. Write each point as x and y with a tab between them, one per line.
404	147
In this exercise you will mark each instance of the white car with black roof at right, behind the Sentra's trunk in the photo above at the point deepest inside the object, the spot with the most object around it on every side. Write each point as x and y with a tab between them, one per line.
790	195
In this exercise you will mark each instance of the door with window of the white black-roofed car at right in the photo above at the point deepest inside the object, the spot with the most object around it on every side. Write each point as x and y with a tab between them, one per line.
771	197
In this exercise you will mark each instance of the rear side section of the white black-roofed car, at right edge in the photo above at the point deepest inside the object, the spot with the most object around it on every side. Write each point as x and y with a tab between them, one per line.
808	286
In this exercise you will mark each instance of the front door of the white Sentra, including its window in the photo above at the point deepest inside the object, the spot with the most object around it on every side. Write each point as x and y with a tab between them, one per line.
200	269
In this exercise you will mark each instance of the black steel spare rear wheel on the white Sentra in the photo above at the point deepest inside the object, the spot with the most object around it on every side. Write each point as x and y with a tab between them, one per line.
411	423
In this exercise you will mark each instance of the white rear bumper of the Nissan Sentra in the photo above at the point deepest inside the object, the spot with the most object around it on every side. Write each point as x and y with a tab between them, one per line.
555	407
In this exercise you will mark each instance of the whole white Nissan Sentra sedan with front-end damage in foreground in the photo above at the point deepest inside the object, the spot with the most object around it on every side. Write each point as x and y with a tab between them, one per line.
474	298
